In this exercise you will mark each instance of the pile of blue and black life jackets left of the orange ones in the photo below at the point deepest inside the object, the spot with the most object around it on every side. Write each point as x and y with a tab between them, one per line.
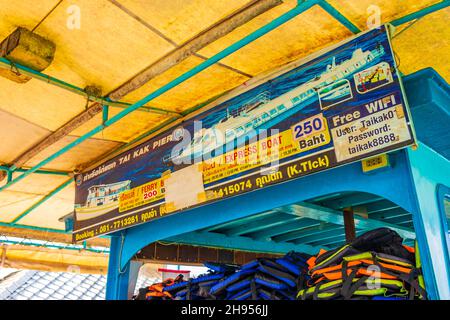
260	279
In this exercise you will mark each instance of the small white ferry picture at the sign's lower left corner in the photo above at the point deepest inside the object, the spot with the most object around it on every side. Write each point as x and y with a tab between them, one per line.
101	199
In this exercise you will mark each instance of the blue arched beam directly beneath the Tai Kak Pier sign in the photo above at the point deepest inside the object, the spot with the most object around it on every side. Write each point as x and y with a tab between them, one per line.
342	179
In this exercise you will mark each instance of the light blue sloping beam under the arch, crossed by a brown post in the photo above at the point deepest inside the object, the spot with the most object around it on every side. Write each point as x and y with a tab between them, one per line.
332	216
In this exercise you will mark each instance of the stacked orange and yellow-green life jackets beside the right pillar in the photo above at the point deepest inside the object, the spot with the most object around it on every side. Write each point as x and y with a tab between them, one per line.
375	265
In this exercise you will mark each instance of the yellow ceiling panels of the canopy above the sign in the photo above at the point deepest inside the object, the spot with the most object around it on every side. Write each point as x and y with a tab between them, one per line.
118	39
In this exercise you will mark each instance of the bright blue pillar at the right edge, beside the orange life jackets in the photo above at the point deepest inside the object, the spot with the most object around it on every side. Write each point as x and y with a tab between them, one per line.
428	170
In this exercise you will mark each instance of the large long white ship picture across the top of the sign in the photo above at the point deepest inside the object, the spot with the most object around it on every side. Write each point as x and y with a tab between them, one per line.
266	112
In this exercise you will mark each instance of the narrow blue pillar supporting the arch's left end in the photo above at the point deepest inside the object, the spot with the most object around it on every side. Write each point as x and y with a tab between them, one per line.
117	280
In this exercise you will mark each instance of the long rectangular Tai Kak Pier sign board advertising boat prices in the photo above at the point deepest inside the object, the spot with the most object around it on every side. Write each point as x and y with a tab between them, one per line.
339	107
